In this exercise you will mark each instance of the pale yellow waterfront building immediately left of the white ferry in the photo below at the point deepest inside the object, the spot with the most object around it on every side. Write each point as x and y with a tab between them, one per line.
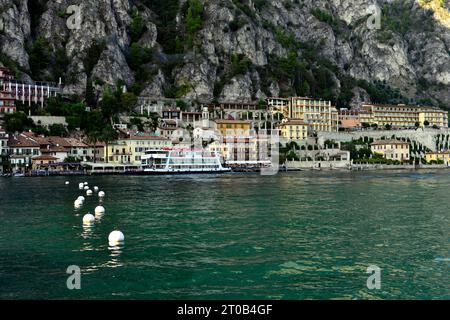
131	150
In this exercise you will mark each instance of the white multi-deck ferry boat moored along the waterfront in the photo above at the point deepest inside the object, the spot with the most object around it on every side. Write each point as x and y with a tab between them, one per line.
169	161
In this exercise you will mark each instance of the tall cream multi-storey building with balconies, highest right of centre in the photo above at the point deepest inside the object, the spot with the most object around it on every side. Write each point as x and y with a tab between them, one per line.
319	115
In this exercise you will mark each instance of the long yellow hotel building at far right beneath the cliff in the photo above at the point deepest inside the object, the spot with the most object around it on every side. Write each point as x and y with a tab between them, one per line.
402	116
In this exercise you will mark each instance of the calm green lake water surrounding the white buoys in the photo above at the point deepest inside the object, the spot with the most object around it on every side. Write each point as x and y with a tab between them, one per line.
237	236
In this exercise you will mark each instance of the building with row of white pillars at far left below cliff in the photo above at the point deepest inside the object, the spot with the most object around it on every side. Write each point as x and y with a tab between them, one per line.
32	92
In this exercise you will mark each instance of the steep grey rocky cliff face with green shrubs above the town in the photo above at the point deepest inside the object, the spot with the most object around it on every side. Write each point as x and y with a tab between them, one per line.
235	50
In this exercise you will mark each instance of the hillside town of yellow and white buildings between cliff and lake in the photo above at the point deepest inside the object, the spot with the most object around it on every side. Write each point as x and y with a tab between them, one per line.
304	133
